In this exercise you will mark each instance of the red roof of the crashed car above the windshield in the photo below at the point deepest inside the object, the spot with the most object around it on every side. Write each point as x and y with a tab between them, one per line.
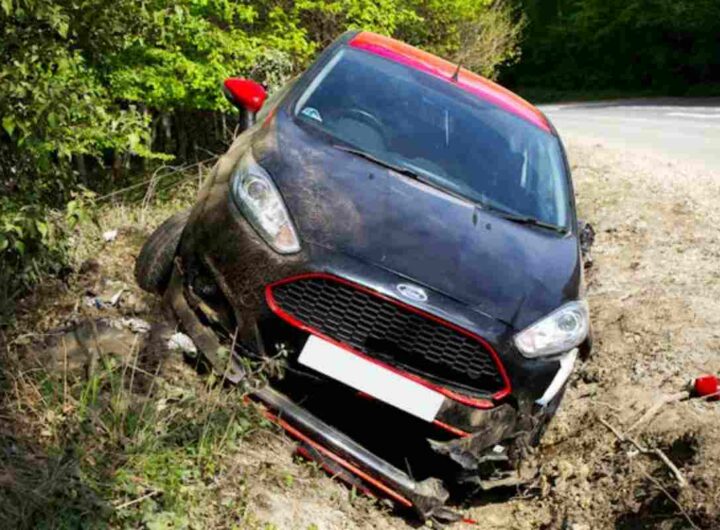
481	87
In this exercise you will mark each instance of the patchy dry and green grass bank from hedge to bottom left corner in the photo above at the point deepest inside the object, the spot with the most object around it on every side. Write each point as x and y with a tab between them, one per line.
134	439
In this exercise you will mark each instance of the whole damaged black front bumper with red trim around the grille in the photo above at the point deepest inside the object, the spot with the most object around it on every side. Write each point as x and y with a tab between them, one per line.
221	282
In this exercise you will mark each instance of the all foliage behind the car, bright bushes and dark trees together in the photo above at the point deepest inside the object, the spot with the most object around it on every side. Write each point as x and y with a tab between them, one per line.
95	94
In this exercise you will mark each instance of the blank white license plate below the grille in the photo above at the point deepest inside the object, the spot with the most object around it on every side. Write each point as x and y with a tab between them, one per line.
368	377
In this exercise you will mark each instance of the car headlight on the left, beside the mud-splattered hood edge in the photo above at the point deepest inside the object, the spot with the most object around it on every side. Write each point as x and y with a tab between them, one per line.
259	200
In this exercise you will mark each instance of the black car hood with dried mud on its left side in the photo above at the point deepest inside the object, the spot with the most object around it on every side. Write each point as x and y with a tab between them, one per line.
511	272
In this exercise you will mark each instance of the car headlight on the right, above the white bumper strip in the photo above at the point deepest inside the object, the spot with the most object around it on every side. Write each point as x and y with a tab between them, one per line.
560	331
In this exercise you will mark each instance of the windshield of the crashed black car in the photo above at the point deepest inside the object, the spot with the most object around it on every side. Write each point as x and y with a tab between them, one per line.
450	138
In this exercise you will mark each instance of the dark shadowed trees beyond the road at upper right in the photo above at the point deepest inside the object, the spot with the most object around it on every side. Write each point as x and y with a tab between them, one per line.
632	47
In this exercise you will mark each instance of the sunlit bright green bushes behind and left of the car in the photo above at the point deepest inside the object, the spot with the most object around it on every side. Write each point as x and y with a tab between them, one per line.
94	94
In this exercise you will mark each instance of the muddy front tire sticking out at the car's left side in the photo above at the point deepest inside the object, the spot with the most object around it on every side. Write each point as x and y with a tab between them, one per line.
154	263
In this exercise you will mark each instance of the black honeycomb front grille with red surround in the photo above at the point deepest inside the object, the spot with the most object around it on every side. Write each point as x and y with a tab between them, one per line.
389	331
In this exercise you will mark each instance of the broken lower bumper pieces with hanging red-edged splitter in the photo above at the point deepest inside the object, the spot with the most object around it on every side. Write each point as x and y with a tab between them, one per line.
487	443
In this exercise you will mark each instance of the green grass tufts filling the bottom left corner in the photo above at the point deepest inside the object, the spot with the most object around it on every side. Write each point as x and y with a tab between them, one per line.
120	448
